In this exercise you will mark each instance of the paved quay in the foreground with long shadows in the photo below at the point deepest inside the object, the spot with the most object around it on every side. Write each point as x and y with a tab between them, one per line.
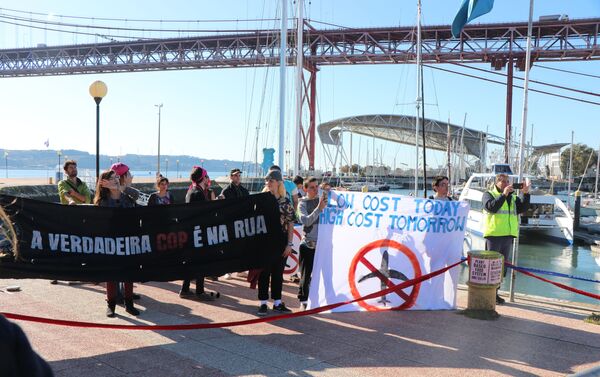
529	339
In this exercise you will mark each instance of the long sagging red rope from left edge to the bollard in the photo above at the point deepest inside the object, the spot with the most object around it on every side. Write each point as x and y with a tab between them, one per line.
194	326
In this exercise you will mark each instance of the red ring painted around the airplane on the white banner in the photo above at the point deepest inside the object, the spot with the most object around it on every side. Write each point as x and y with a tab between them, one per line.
358	258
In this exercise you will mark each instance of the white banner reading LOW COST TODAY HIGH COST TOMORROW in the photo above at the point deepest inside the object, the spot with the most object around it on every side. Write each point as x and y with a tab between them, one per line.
369	241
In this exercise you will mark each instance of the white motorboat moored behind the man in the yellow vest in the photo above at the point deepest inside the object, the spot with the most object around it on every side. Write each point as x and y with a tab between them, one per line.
547	216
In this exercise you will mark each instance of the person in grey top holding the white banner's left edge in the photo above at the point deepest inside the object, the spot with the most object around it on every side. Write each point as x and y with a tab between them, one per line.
310	207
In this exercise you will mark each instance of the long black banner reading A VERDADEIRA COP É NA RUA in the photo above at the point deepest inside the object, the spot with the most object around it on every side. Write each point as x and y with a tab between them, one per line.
159	243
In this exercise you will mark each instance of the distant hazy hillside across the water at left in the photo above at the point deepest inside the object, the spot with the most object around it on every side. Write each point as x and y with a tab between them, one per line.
48	159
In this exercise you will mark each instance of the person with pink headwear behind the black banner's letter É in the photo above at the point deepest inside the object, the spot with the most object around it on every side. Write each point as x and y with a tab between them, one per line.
199	191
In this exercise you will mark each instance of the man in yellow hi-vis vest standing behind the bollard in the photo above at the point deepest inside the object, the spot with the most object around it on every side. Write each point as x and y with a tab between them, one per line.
501	216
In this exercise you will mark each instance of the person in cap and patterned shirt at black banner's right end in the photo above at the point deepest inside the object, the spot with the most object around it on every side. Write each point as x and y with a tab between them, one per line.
274	272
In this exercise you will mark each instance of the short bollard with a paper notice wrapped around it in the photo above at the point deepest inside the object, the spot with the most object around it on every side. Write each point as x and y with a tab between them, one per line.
485	276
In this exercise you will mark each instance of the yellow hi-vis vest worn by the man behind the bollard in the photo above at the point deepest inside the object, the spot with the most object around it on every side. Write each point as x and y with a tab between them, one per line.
505	222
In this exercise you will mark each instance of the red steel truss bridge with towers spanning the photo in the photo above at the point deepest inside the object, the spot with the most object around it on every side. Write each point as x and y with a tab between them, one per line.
498	44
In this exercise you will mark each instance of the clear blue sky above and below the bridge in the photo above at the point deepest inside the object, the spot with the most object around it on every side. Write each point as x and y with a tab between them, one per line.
209	113
